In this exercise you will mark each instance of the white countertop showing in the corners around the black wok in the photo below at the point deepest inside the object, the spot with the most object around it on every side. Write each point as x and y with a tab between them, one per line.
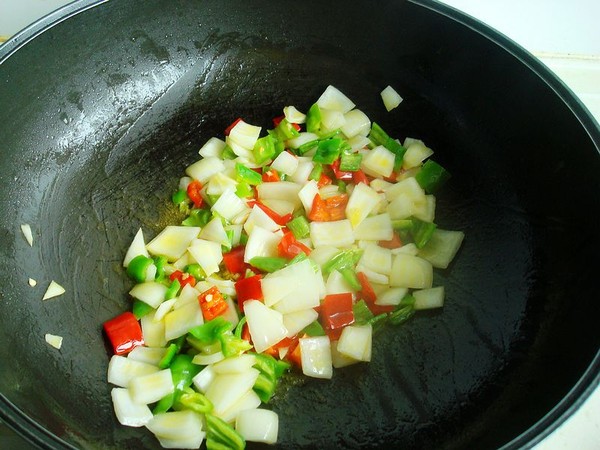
564	34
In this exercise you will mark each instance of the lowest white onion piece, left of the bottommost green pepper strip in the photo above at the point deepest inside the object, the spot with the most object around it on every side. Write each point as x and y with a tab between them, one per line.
178	429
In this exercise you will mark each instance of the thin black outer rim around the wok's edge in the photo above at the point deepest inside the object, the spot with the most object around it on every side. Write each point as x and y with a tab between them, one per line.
589	381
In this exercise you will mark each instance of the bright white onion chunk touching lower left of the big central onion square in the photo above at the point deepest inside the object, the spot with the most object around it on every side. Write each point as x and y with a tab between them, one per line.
265	325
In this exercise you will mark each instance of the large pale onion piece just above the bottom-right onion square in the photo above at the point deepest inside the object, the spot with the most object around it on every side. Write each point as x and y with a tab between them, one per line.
227	389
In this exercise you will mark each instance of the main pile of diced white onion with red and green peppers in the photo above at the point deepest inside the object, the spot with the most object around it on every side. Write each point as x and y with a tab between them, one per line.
296	245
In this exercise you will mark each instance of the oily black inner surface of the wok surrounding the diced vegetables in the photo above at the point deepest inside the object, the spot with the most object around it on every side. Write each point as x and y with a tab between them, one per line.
100	114
